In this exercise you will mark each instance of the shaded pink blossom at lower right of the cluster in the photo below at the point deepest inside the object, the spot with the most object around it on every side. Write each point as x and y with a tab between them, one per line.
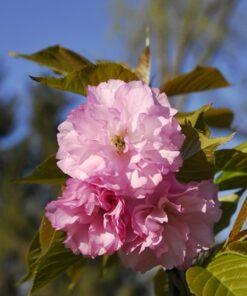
171	226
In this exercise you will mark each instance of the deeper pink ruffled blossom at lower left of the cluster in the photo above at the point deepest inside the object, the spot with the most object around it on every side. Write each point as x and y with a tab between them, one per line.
92	217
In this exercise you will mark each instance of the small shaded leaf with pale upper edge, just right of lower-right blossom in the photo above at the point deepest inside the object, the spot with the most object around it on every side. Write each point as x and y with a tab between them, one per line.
228	206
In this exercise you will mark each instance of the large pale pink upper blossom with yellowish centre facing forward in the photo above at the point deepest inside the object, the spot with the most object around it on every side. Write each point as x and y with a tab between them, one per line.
124	139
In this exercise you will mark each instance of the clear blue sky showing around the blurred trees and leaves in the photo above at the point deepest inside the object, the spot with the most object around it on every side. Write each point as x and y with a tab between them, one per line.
84	26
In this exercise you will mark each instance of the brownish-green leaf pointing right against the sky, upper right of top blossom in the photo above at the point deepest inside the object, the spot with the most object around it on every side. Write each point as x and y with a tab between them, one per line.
200	79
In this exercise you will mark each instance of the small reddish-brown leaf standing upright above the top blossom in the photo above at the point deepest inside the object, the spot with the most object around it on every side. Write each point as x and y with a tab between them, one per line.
143	68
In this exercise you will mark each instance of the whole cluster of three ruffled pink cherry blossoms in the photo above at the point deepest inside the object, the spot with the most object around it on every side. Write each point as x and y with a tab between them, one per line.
121	151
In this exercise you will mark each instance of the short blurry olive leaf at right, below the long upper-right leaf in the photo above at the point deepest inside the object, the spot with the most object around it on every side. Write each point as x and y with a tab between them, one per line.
219	117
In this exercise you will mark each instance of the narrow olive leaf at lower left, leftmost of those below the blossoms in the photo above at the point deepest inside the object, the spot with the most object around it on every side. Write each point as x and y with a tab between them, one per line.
33	255
